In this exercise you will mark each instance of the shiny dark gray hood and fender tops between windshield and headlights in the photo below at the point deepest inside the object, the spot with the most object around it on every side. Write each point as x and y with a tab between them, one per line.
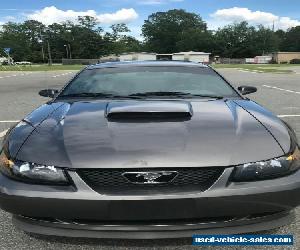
215	133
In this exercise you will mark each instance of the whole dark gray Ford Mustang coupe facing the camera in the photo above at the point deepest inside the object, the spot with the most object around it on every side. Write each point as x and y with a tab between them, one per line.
149	150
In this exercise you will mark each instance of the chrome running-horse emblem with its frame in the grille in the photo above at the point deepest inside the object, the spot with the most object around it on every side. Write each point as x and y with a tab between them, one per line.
153	177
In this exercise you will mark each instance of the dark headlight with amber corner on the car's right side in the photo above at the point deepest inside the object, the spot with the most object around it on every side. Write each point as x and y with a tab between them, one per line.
268	169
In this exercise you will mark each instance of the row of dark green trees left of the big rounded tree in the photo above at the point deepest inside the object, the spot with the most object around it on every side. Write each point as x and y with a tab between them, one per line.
29	40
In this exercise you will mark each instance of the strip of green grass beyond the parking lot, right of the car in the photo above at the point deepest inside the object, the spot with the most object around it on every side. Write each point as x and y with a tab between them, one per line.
260	68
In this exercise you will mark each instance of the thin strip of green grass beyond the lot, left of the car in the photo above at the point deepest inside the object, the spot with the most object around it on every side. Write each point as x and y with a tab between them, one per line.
40	67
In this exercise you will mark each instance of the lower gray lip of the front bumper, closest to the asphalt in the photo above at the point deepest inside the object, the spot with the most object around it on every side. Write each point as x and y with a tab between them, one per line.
152	231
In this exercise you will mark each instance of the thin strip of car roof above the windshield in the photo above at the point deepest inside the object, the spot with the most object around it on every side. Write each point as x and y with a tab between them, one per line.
145	64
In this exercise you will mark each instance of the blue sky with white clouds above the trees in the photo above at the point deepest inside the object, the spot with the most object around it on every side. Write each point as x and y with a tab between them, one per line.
217	13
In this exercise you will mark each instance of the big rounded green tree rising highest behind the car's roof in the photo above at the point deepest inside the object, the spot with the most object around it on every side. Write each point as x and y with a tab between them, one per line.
171	31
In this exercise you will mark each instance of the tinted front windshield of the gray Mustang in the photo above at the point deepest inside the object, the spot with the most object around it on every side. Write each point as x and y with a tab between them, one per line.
149	81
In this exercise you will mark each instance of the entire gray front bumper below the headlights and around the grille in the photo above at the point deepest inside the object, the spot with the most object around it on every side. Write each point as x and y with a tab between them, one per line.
79	211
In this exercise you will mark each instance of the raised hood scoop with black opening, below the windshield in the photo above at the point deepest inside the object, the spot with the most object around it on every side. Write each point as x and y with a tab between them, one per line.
149	110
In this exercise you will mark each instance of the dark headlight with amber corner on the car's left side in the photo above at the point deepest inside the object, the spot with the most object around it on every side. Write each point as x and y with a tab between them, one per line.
31	172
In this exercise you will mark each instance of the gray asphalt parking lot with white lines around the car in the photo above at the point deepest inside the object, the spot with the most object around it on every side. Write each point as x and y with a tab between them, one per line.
19	95
